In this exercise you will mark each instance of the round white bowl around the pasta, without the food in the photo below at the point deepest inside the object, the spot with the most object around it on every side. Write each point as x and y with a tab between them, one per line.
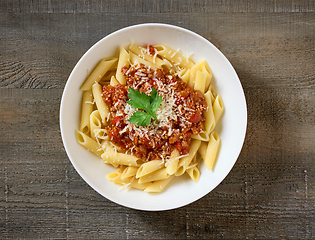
181	191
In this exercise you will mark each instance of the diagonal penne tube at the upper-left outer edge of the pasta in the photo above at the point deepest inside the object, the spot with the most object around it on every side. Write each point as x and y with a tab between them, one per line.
99	71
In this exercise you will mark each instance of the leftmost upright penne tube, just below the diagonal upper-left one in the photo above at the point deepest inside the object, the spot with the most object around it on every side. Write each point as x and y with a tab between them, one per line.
86	110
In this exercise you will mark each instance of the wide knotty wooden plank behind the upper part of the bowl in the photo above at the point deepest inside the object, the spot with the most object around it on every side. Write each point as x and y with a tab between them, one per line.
273	46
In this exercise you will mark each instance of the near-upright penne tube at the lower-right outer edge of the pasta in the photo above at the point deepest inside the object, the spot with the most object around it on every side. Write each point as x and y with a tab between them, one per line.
212	150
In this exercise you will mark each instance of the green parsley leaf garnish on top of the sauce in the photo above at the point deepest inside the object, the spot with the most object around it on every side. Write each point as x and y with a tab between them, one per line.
147	103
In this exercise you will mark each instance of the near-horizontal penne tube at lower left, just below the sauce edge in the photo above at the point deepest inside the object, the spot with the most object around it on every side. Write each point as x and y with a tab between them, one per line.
114	157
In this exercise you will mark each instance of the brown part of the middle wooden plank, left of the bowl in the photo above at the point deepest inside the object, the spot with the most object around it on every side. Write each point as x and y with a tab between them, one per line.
29	122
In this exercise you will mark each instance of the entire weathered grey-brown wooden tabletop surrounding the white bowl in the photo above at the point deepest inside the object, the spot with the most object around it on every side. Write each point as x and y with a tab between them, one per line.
269	194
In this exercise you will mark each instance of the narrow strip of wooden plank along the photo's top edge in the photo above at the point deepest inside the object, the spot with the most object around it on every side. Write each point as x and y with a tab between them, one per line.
156	6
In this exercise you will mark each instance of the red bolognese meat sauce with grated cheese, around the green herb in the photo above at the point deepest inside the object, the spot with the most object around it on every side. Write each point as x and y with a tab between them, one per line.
180	114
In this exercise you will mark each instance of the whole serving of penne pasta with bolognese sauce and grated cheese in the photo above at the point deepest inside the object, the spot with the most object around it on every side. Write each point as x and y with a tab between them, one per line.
180	131
